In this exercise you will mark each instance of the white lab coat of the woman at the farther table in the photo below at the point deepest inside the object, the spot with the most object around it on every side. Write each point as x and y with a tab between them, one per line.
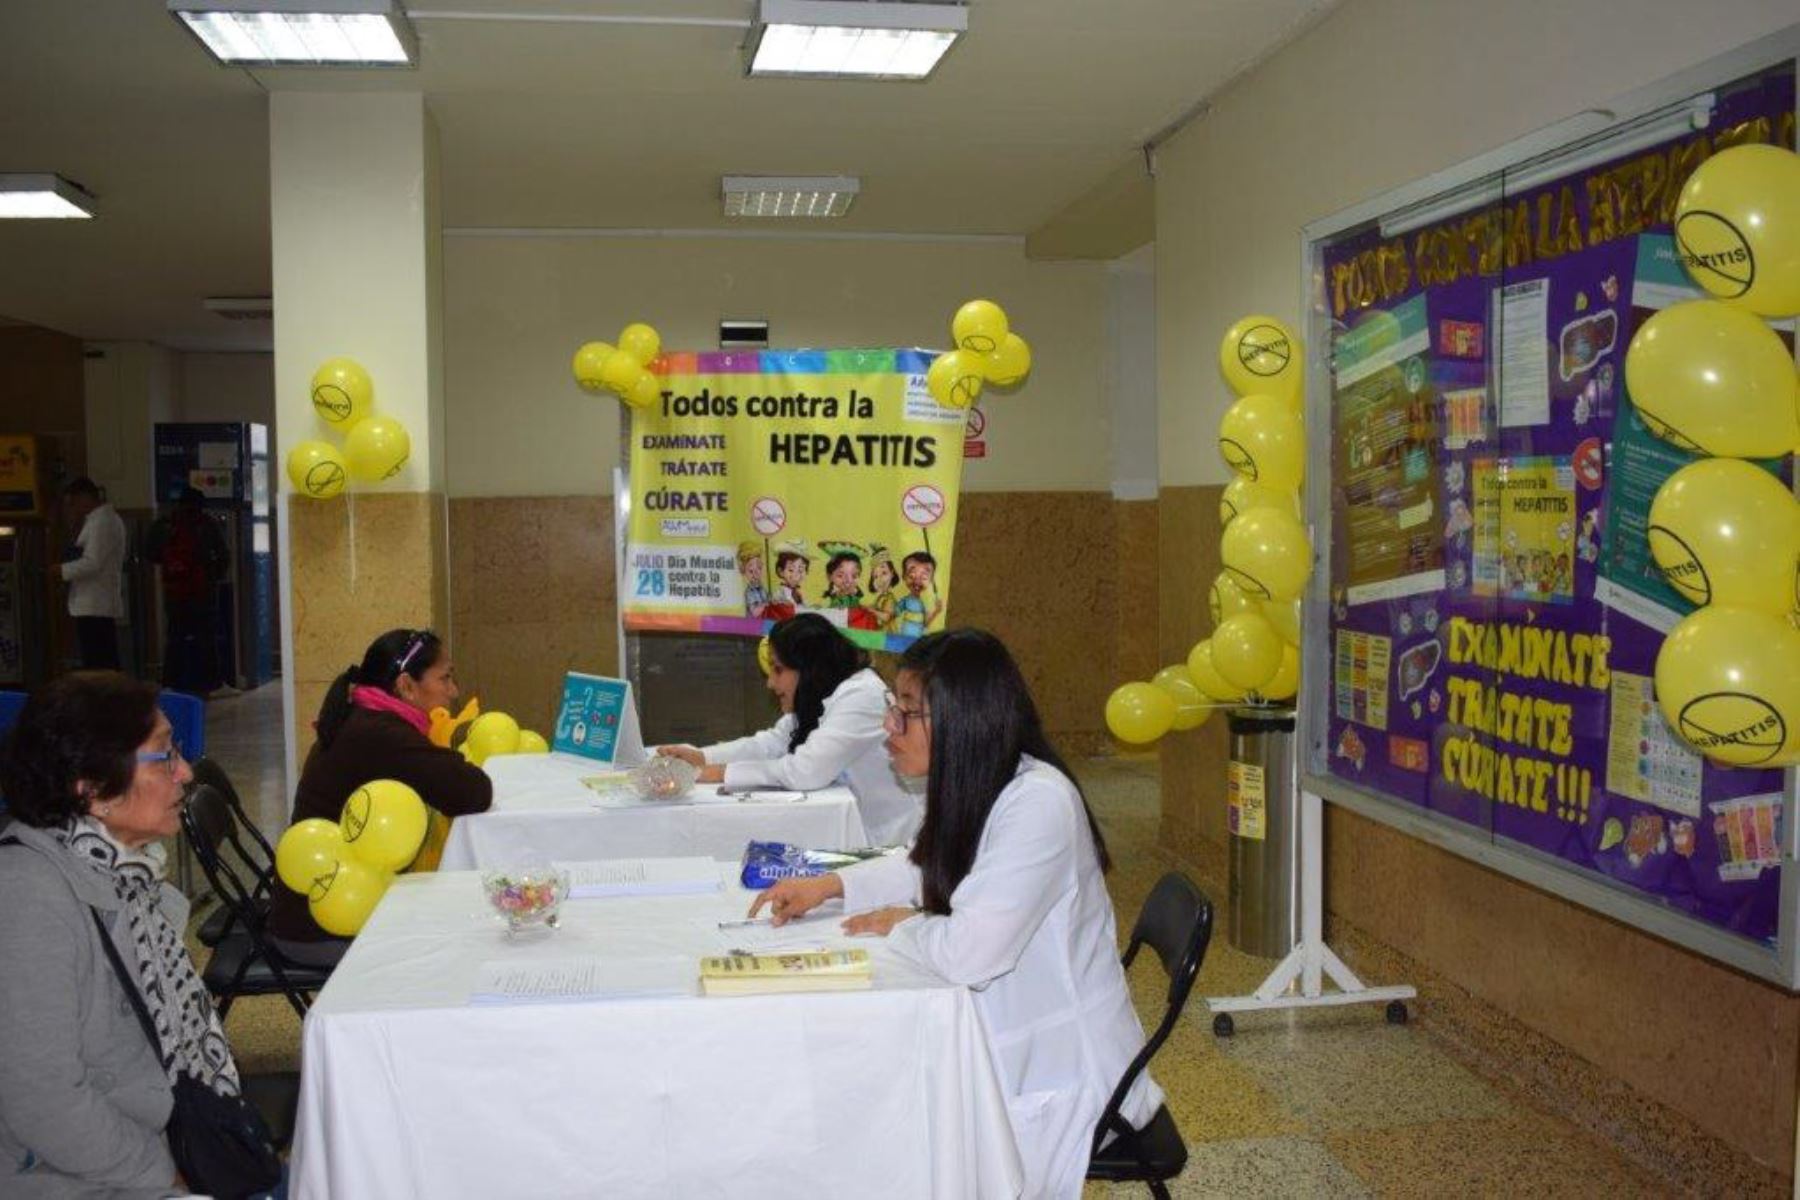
847	746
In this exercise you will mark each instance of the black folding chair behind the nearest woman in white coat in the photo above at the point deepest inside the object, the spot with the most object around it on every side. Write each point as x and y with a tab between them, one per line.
1178	924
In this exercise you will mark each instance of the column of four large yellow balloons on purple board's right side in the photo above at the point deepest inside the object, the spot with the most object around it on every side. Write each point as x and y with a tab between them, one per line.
1713	379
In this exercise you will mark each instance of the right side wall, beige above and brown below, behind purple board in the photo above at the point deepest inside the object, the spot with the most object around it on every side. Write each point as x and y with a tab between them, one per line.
1439	82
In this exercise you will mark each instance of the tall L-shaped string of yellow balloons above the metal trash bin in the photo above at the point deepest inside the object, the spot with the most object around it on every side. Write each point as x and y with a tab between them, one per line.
1254	654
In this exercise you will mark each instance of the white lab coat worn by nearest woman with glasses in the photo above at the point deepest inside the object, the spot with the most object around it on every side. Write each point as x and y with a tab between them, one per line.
1030	933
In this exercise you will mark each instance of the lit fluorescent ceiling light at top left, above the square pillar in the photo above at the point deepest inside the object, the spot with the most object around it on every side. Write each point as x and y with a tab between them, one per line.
301	33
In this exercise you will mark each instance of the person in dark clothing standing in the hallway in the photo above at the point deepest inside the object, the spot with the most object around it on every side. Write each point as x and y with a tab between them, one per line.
192	553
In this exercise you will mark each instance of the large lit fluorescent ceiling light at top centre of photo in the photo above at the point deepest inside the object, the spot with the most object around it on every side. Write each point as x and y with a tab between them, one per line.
854	39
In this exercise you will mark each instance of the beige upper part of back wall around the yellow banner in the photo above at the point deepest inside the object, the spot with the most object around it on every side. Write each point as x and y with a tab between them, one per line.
517	309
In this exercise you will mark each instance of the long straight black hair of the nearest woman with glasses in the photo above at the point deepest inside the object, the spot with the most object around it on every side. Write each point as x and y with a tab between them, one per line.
982	722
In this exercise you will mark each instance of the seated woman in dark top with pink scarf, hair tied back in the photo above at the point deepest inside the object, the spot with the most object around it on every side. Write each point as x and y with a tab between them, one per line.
373	726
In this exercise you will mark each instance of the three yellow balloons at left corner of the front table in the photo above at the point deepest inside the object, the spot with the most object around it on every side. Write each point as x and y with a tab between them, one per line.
345	866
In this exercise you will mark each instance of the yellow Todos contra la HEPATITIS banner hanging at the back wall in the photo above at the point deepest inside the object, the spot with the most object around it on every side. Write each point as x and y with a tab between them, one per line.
771	483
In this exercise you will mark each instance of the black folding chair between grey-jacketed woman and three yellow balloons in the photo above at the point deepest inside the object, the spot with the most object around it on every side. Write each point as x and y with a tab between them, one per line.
244	962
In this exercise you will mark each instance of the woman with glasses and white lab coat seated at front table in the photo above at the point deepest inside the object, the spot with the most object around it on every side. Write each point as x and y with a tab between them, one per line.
1011	900
